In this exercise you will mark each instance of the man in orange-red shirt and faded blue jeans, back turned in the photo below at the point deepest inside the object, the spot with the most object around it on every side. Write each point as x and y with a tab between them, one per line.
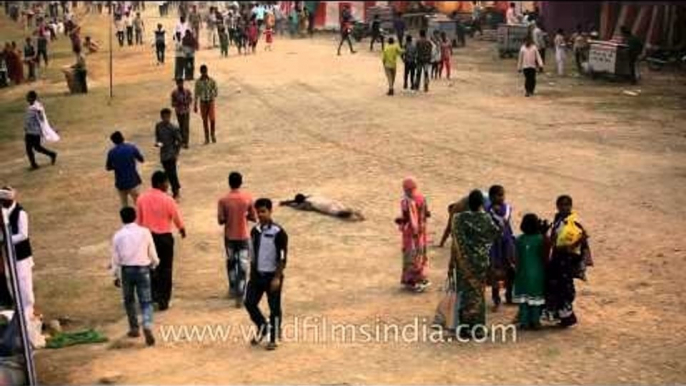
234	211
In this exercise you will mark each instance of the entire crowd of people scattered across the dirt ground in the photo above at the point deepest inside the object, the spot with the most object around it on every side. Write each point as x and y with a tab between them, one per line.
537	268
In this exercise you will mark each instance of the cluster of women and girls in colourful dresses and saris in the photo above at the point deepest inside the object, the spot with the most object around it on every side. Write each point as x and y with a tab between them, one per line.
537	269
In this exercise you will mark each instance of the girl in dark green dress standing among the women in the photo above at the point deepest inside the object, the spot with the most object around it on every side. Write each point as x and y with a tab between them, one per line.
532	252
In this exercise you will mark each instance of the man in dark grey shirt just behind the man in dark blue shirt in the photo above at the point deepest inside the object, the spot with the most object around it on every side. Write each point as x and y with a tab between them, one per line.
168	139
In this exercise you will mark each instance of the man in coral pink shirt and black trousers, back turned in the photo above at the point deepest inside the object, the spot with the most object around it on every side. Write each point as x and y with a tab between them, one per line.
156	211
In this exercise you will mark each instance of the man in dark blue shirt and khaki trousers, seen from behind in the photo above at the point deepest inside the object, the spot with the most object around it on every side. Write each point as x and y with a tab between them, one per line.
122	159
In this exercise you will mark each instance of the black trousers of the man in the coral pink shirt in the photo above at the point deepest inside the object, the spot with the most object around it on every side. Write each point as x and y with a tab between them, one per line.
161	277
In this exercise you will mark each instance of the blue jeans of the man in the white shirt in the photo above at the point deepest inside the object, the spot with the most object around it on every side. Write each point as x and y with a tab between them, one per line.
136	281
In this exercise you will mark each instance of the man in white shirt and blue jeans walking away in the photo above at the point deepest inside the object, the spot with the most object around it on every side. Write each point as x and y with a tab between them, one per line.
133	256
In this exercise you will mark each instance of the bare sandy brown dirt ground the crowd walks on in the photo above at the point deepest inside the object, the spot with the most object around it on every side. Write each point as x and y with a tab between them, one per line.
301	119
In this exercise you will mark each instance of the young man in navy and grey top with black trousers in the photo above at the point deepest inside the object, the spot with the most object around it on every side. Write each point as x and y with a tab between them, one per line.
270	246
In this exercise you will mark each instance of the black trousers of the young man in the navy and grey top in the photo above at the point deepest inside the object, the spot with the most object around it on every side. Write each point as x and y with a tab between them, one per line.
257	286
